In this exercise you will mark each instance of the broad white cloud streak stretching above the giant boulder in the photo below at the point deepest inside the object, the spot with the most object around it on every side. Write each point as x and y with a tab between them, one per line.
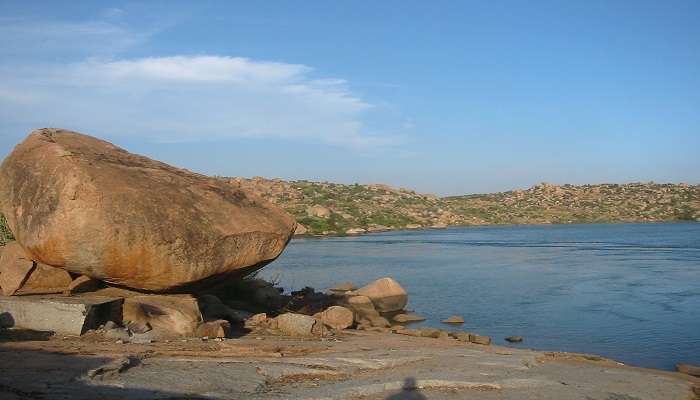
184	98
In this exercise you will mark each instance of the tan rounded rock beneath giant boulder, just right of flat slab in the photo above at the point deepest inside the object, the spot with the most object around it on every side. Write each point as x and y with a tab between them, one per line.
169	316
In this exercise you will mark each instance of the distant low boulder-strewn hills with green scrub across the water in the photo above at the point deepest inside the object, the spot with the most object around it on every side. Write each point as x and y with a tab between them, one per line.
324	208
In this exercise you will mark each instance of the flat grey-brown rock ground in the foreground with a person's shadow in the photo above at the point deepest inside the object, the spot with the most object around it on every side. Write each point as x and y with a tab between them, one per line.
354	365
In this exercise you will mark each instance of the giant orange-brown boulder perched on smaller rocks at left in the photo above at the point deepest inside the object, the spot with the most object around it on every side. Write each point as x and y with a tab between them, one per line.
79	203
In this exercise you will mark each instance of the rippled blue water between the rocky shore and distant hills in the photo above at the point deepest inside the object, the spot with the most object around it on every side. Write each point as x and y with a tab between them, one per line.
630	292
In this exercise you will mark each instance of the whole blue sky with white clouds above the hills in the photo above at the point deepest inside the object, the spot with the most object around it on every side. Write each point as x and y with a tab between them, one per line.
442	97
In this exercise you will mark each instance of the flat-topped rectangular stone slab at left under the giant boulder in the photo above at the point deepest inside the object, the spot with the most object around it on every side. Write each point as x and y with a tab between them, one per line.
65	315
